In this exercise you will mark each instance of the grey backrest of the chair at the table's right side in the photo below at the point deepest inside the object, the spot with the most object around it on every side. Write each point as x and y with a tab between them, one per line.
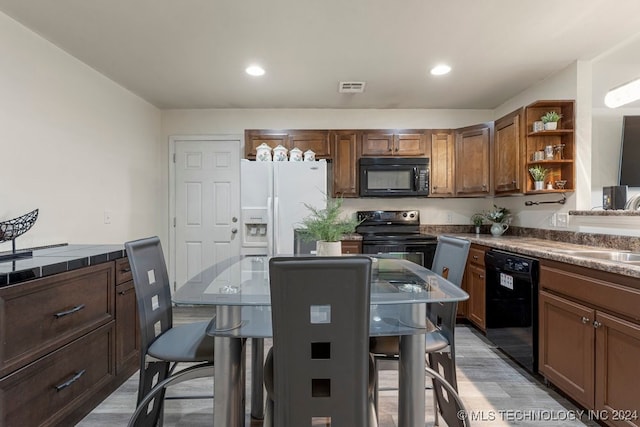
450	258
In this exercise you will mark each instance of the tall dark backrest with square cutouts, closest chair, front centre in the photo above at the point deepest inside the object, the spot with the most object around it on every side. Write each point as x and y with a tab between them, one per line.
320	315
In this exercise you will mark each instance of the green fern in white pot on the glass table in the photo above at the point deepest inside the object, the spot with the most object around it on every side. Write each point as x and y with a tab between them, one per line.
327	226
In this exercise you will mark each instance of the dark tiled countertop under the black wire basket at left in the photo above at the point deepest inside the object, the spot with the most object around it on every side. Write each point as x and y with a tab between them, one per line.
56	259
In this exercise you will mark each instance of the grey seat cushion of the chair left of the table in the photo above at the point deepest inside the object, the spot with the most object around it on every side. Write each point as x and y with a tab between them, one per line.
184	343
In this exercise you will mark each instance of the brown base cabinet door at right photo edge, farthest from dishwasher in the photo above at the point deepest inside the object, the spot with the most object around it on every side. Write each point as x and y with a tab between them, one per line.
617	369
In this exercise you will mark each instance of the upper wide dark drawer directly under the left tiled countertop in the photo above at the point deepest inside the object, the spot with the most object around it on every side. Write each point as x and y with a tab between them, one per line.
38	317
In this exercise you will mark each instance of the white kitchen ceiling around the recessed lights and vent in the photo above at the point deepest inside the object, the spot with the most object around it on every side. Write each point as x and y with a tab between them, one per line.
192	53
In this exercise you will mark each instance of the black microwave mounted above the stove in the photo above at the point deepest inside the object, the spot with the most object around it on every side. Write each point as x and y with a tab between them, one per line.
394	176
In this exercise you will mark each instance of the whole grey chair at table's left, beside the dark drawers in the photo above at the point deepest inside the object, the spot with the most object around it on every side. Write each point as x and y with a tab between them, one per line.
162	345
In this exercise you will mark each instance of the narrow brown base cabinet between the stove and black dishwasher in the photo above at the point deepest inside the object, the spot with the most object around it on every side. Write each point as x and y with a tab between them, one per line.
475	286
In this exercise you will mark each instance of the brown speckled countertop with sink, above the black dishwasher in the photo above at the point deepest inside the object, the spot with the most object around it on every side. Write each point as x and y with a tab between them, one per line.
543	248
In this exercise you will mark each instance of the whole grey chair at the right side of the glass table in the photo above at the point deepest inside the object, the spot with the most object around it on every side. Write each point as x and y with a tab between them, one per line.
449	262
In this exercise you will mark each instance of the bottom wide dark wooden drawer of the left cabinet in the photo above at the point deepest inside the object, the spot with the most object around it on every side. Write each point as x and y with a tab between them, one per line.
46	391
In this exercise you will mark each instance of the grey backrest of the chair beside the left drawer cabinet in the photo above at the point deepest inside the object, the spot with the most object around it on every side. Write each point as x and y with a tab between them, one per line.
153	292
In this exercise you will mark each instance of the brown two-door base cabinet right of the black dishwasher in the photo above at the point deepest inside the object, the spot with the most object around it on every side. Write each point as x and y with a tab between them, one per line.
589	343
